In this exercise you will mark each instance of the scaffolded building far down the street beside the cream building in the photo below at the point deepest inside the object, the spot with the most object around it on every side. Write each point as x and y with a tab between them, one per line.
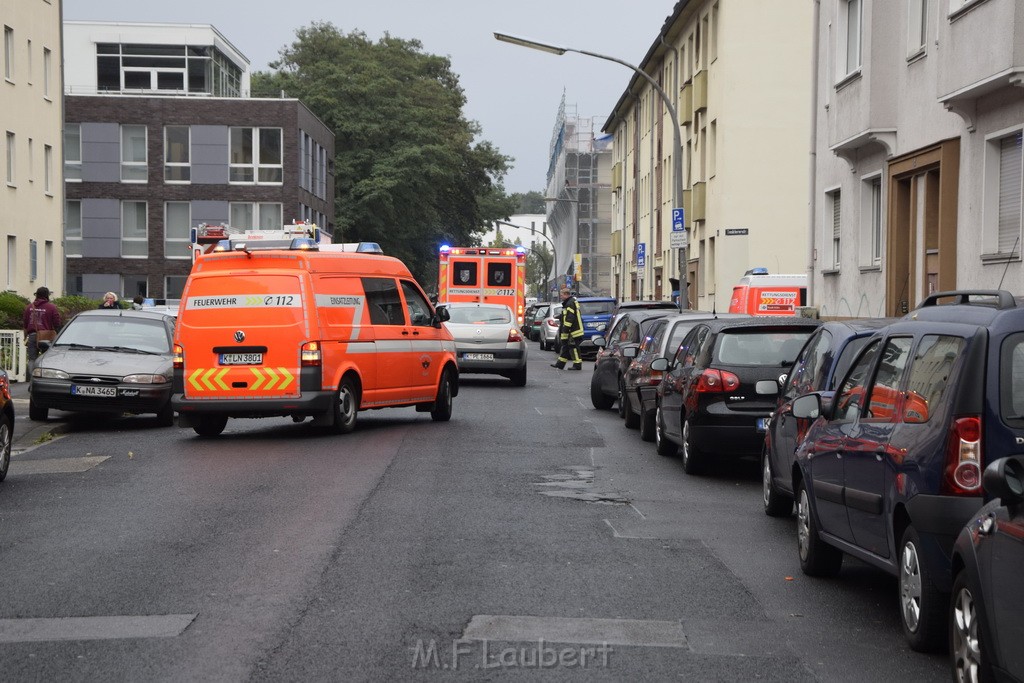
579	178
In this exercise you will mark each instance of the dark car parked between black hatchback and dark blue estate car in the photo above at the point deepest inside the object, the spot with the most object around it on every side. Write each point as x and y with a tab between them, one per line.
822	364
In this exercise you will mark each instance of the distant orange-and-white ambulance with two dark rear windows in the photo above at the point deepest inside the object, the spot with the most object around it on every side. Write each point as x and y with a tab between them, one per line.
484	275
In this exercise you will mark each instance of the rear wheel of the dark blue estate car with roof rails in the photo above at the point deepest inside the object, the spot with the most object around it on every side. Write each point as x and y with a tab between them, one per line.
923	608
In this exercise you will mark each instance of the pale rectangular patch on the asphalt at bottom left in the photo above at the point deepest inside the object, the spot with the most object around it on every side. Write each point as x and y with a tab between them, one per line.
93	628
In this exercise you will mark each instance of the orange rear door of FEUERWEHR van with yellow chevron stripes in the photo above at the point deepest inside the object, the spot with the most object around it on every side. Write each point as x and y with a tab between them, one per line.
242	335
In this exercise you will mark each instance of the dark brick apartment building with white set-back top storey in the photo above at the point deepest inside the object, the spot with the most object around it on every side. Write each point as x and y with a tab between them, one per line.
161	136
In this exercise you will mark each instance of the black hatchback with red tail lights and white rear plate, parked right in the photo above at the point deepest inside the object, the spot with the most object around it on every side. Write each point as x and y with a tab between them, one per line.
719	390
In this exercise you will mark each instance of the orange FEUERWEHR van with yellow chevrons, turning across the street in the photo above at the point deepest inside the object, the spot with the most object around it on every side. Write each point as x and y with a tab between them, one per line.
303	333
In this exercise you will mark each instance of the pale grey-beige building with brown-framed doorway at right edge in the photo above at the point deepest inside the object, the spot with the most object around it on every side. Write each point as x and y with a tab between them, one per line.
918	186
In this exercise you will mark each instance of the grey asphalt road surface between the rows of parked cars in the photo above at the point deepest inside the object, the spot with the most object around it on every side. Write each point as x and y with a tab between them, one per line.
531	536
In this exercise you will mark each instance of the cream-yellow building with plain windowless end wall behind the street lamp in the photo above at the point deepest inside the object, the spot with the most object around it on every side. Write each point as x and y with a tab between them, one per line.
744	102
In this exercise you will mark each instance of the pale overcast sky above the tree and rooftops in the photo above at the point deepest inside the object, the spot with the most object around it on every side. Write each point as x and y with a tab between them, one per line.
513	93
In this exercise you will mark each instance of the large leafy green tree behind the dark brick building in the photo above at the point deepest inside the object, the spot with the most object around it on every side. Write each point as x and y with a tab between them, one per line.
409	170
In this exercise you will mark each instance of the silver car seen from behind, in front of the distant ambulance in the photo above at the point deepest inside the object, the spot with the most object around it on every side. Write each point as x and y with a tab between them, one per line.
488	340
